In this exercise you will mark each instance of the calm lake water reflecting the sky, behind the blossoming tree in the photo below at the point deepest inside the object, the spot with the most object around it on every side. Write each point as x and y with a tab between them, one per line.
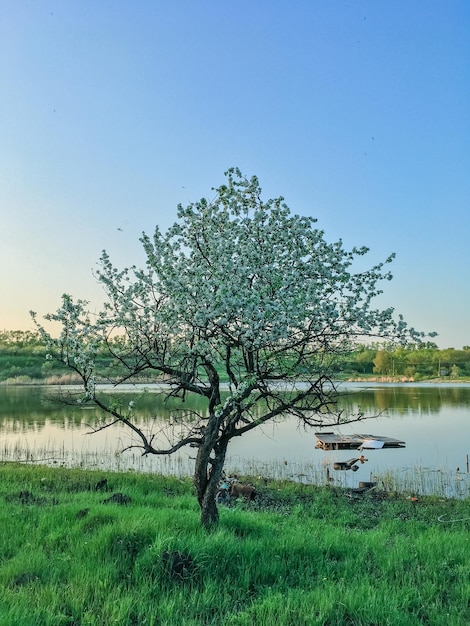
433	420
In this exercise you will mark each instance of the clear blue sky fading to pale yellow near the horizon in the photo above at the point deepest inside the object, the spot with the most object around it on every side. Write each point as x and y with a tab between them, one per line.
357	112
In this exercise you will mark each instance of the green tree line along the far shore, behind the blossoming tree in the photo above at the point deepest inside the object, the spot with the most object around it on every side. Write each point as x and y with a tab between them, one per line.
23	359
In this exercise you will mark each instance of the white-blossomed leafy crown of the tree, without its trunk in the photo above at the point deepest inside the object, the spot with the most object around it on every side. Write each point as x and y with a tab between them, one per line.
236	284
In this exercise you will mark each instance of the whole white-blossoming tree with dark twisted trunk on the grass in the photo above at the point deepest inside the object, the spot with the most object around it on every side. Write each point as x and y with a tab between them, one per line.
241	303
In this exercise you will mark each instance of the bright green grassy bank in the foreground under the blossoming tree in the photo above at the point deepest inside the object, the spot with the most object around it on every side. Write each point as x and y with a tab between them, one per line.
299	555
